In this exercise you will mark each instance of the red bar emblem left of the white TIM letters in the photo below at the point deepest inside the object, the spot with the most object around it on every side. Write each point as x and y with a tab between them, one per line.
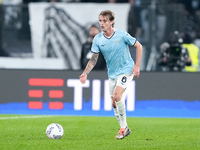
40	82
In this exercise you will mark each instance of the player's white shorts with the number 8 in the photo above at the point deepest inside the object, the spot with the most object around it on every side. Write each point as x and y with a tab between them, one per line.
122	81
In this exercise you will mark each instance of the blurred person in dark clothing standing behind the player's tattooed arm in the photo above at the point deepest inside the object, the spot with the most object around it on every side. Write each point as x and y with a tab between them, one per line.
86	54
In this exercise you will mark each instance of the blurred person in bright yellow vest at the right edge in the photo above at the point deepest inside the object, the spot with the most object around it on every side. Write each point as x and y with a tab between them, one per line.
193	53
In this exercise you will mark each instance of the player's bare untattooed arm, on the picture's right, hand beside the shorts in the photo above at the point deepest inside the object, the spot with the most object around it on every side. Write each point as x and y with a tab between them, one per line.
136	68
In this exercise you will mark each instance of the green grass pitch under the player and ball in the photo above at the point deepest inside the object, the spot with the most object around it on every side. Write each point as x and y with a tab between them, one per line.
26	132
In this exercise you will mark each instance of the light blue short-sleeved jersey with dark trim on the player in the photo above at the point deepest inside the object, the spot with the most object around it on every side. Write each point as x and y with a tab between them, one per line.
115	51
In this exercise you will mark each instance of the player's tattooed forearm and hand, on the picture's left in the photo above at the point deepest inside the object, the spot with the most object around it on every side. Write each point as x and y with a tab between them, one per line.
91	63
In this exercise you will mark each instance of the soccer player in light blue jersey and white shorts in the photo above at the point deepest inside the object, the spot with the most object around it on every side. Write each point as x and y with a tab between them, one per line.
114	45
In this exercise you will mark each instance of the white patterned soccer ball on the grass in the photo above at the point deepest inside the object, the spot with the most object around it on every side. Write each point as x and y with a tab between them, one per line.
54	131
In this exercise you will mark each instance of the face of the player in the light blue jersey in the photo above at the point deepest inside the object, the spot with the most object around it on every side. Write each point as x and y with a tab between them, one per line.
105	23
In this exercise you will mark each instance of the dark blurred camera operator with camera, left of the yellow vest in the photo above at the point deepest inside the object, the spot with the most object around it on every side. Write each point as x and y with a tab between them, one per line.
174	57
